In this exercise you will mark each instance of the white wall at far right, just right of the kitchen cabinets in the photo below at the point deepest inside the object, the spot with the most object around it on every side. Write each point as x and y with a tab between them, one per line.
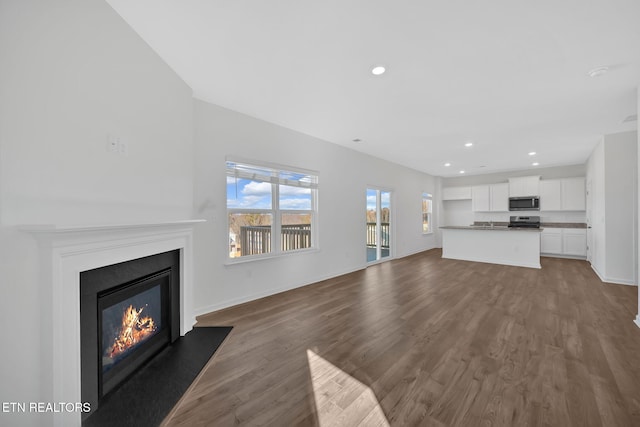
612	174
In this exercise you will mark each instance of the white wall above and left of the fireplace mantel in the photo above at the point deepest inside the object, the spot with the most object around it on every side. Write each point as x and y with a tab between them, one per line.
72	72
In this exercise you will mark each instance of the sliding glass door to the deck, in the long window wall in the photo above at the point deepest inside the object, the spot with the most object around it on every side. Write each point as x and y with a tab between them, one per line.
378	238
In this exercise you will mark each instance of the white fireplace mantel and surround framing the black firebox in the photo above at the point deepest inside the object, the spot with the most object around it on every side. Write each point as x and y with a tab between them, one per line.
66	251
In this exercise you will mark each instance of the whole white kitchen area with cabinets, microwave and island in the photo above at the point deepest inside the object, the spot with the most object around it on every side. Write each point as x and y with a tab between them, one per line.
515	220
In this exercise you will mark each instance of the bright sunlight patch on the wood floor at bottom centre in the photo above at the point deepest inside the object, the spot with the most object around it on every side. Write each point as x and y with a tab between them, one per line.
340	399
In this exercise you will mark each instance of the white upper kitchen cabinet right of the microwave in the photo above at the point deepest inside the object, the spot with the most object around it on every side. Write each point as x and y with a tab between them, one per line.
563	194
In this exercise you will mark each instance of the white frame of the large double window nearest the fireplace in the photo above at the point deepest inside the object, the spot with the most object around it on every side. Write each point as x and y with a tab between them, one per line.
276	212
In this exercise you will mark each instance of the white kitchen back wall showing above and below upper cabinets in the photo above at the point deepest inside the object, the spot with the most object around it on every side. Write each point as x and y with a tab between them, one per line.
459	212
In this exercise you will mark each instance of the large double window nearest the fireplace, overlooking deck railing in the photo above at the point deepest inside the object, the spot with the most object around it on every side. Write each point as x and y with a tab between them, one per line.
270	210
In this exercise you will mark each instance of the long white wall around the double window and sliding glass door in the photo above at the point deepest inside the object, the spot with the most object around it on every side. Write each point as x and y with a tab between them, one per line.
344	176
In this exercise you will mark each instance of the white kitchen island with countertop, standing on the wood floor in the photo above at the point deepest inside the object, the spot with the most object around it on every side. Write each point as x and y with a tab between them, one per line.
492	244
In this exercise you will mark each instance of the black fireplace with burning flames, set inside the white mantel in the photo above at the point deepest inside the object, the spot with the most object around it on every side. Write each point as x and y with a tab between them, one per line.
129	312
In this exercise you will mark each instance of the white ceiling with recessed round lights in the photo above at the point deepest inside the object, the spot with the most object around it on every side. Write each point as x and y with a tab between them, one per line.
510	76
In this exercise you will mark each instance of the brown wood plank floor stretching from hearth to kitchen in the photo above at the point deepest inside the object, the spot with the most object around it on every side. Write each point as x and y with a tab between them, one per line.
428	341
